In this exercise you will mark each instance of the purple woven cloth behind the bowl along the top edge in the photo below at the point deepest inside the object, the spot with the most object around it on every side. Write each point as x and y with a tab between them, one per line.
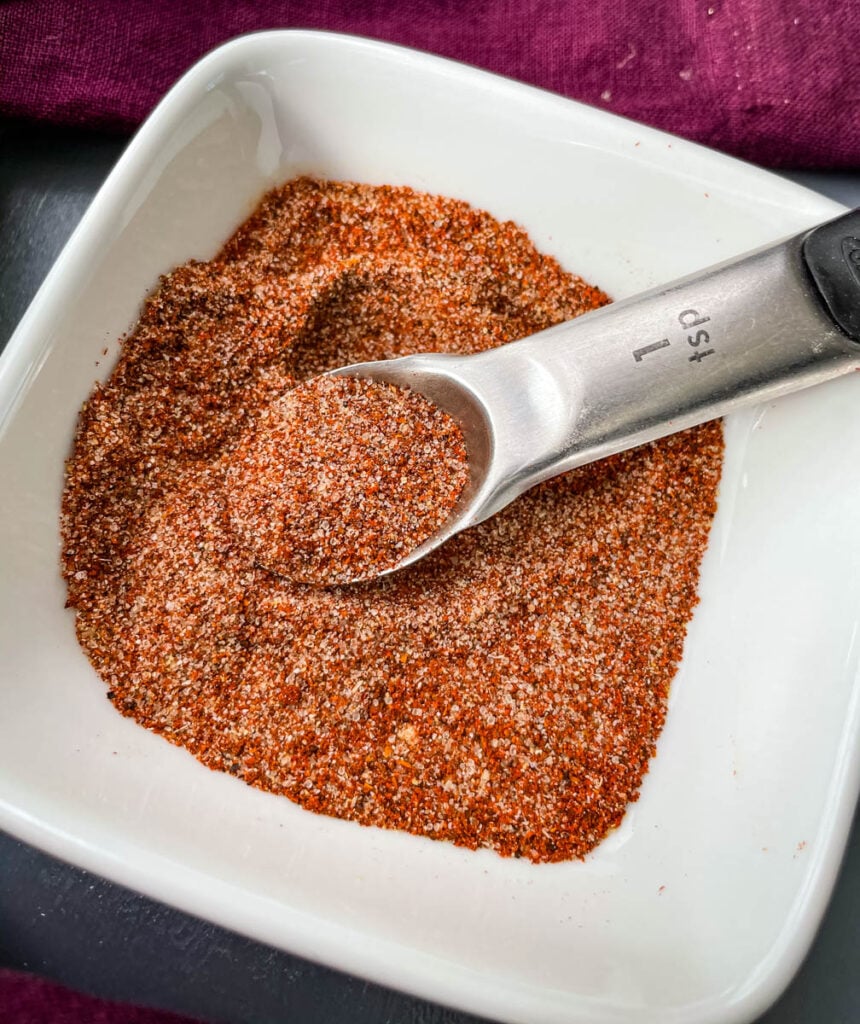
776	81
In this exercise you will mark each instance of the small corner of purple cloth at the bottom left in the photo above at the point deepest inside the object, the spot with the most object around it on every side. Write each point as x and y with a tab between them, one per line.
26	1000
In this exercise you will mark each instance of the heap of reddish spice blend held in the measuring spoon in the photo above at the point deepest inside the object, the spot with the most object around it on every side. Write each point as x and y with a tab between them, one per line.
342	479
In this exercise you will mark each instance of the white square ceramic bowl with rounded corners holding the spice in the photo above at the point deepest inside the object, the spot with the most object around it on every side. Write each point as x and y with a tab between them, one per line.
702	906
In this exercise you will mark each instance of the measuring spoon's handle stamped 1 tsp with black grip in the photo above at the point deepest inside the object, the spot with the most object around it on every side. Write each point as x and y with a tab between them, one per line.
778	320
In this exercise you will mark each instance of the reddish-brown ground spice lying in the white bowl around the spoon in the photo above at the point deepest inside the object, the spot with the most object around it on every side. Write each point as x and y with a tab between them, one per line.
507	692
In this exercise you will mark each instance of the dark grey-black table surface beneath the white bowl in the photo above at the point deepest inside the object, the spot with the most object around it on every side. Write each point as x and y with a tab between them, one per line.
72	927
